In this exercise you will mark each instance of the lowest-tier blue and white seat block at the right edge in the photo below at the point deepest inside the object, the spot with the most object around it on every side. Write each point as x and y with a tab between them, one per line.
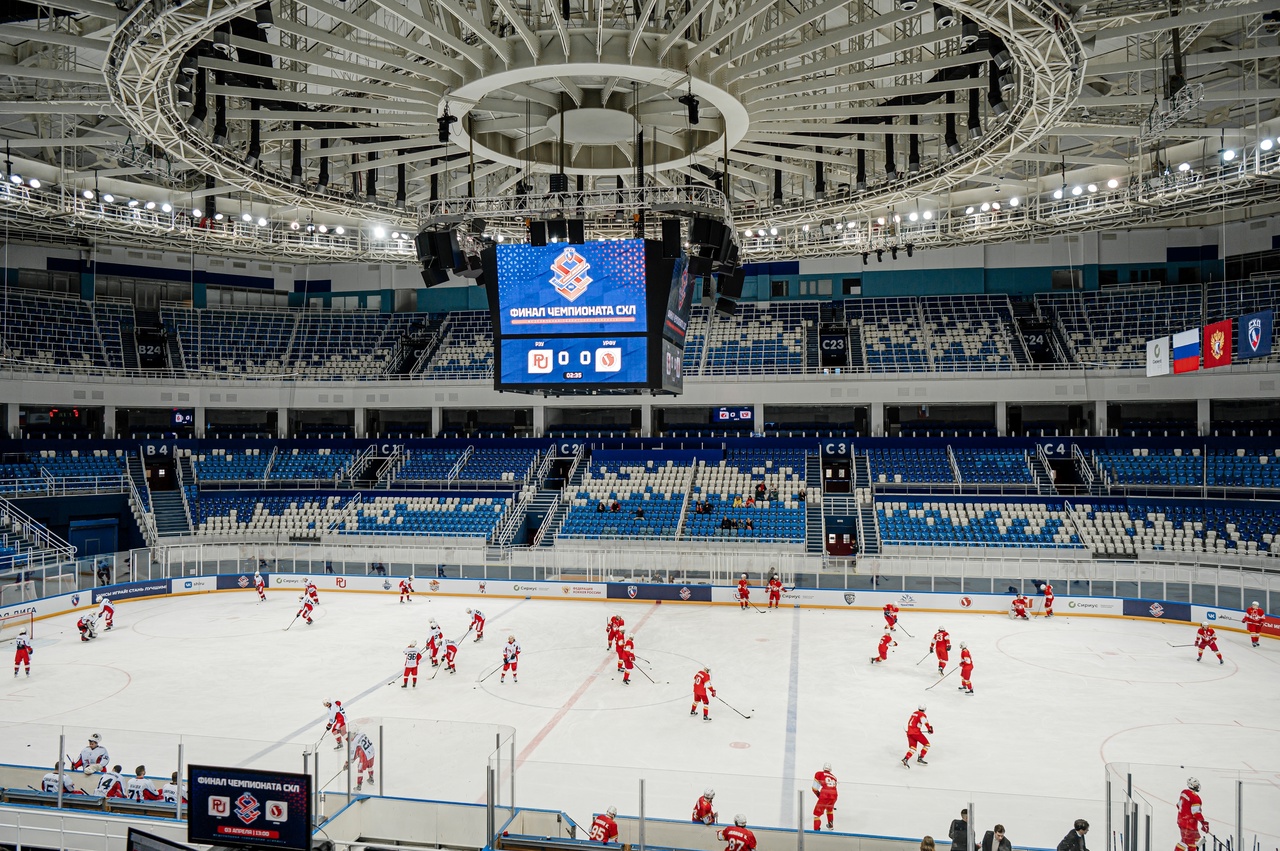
1123	529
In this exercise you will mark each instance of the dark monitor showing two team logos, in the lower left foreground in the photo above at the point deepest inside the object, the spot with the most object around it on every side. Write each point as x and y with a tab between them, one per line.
245	808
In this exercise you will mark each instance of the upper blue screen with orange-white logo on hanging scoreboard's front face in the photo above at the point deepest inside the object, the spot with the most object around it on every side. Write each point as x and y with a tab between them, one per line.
595	289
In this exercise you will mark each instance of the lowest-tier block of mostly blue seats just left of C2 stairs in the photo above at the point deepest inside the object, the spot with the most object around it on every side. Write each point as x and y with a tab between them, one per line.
444	516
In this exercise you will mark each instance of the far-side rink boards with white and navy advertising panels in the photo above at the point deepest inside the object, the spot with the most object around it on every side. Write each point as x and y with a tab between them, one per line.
908	603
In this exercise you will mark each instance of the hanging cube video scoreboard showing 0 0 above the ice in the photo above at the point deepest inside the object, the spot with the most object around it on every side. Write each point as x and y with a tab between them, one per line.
572	318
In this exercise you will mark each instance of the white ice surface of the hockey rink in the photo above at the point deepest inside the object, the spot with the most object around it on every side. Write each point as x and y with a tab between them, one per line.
1057	701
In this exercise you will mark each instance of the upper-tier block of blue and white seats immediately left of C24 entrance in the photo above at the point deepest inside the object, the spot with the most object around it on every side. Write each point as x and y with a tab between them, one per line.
970	332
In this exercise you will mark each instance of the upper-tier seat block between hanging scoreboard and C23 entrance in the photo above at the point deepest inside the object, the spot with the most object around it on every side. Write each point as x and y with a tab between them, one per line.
760	340
